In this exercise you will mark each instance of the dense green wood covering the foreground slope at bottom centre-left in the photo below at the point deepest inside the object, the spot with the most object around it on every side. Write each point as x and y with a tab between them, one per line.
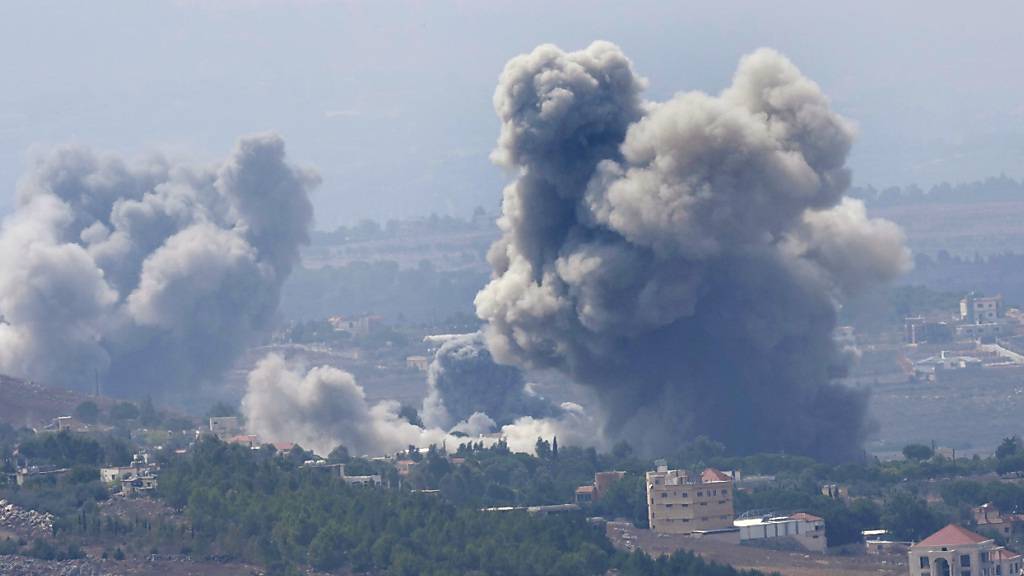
251	506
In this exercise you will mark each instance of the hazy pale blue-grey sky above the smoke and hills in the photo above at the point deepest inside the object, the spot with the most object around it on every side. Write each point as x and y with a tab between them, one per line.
392	102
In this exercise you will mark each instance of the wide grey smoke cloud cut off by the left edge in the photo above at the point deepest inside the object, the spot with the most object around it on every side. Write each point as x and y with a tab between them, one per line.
152	275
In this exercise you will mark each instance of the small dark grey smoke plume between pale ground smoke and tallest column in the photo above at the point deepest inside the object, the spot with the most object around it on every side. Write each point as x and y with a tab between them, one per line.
464	381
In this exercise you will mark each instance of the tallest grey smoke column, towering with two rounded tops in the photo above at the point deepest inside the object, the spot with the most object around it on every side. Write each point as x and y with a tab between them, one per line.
684	259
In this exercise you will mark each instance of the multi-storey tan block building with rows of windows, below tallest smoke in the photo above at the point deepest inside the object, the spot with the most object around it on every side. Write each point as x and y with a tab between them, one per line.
679	505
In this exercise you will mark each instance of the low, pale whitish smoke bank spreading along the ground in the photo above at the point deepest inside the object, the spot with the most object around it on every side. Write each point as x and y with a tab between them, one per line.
324	407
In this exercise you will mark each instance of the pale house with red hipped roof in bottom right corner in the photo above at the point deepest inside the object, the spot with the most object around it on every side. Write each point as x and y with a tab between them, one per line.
958	552
